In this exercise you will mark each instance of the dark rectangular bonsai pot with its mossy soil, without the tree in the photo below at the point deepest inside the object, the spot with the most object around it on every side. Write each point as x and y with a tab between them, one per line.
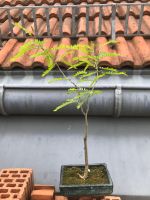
98	183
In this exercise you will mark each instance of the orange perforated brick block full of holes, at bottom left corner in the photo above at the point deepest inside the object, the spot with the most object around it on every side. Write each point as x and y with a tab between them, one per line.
16	184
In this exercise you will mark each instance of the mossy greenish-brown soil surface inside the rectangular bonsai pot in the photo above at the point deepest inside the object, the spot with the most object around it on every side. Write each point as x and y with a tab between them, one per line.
97	175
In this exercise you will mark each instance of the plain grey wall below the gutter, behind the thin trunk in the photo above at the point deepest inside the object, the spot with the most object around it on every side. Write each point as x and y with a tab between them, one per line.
44	143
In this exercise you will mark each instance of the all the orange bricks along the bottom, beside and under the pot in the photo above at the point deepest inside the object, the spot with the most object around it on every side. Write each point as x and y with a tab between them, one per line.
17	184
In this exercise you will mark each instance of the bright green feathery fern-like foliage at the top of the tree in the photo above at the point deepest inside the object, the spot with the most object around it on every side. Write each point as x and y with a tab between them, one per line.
81	65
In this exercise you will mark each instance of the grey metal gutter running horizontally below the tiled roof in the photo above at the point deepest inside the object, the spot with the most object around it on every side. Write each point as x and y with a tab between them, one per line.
32	95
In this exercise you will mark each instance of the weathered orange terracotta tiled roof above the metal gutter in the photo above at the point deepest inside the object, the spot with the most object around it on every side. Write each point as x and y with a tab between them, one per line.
135	52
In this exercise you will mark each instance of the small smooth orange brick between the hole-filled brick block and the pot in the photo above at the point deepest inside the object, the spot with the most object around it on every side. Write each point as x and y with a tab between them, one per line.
43	194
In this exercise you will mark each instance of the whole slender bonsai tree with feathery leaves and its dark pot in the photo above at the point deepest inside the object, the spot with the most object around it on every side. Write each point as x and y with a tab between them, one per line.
82	179
